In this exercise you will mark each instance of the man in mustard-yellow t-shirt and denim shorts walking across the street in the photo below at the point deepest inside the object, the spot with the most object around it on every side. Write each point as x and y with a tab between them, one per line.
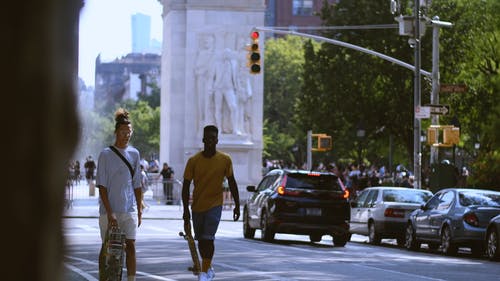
207	170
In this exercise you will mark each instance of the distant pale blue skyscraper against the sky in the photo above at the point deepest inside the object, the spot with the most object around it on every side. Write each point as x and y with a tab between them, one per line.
141	33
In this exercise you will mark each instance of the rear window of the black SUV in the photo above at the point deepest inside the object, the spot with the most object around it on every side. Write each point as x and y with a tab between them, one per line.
316	182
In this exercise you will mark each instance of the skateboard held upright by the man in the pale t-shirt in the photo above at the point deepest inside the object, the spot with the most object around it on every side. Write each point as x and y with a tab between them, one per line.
114	255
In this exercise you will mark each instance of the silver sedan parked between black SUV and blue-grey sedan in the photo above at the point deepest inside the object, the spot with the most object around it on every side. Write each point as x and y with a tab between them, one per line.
382	212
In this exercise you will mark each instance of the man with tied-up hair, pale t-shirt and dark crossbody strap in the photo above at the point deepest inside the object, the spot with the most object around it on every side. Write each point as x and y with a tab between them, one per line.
119	181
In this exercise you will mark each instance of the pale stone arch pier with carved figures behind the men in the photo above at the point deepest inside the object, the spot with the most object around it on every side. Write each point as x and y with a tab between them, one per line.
205	80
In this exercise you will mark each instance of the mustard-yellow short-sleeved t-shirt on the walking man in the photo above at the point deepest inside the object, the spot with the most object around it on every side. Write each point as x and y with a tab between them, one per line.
207	175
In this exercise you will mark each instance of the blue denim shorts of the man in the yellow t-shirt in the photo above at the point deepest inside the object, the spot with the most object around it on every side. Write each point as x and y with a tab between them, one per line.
205	224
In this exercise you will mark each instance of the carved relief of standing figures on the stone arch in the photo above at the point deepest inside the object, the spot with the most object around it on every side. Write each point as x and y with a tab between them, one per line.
223	86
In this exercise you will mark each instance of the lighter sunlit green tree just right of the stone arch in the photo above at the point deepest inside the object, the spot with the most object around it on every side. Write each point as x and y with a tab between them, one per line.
282	85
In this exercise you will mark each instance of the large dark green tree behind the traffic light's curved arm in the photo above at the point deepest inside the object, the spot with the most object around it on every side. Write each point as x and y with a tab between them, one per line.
346	90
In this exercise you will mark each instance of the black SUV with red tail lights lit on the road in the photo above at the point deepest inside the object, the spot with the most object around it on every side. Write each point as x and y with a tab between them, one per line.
298	202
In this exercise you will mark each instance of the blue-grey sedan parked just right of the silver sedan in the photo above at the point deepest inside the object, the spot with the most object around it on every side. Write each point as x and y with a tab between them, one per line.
453	218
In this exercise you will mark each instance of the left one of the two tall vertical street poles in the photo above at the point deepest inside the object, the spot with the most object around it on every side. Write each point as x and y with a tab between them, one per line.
416	100
